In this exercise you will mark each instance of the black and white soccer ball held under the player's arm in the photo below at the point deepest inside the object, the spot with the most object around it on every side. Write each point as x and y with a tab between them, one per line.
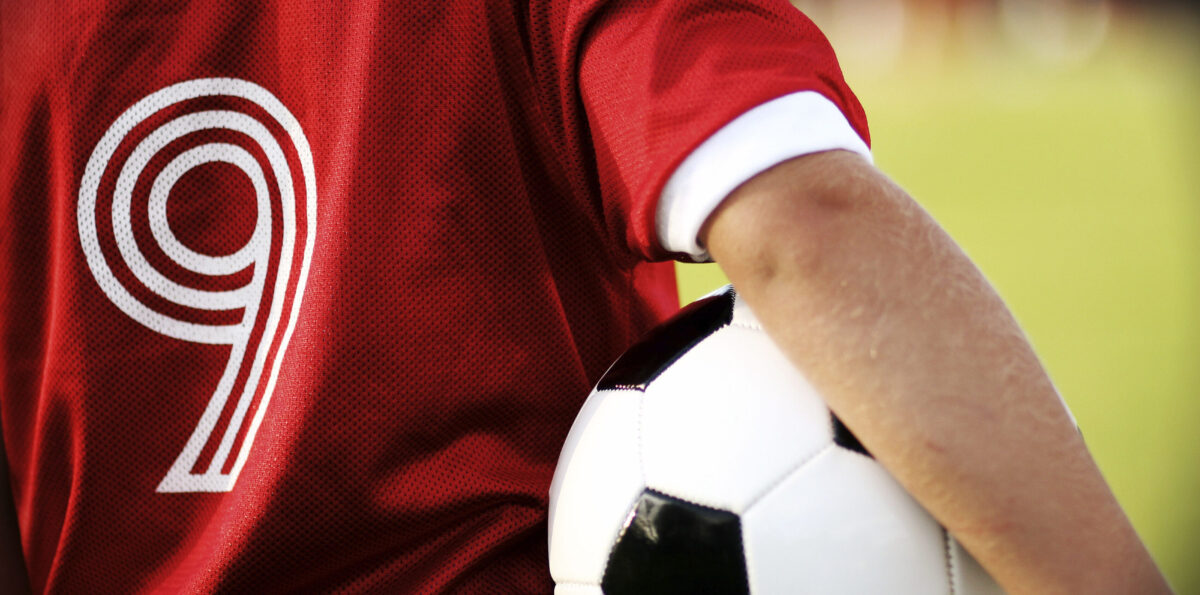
704	462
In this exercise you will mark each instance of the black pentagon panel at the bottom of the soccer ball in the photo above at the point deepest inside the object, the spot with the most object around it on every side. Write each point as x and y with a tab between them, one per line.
673	546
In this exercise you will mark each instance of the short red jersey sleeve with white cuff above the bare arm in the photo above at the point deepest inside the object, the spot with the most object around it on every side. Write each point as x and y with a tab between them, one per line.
658	80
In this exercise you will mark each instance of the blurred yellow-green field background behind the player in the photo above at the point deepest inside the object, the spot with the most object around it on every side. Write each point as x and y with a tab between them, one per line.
1059	142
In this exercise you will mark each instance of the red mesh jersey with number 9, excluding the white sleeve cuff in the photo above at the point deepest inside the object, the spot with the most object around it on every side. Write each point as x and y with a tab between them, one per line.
304	297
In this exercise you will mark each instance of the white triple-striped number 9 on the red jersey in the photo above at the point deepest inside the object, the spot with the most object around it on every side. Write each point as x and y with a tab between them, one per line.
181	478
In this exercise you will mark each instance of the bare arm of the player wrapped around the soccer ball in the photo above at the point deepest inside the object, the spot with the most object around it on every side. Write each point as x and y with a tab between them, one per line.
919	356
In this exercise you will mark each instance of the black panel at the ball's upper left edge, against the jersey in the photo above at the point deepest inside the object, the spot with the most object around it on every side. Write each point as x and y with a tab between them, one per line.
641	364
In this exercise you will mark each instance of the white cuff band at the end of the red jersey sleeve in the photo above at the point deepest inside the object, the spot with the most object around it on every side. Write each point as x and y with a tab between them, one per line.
789	127
